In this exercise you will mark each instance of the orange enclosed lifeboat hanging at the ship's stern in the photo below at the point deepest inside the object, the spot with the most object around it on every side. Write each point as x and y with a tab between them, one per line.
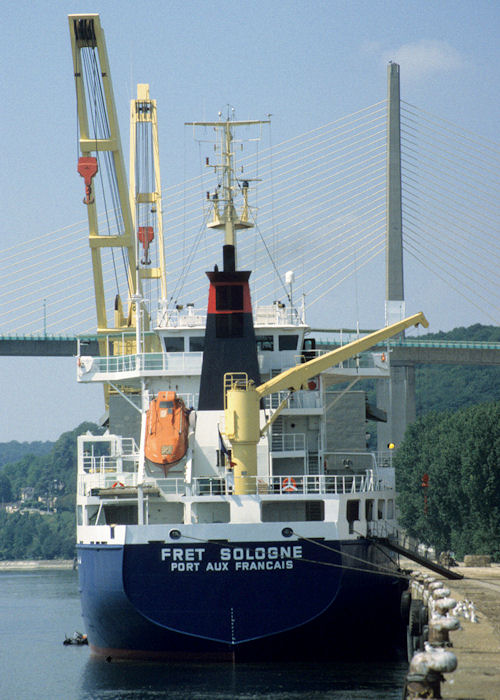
167	427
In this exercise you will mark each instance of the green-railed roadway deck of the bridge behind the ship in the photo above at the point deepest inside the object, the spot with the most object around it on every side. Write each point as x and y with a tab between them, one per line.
404	353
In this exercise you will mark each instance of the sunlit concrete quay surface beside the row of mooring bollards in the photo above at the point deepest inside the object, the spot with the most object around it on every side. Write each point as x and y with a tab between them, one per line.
477	644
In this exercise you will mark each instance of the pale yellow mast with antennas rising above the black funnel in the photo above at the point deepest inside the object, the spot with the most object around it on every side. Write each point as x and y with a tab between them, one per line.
228	220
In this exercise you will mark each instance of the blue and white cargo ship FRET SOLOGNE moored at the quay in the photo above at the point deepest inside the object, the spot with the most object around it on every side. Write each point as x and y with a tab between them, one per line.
227	511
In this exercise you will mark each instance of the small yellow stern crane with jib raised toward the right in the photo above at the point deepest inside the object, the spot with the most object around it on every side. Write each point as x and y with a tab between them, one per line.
242	398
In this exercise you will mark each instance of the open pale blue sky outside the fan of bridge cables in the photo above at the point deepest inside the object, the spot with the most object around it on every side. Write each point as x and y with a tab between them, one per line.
305	62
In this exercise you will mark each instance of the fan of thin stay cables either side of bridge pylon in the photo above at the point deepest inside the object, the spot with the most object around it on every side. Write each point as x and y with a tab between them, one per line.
320	209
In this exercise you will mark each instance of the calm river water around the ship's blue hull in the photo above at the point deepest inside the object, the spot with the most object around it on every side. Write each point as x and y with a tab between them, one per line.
38	608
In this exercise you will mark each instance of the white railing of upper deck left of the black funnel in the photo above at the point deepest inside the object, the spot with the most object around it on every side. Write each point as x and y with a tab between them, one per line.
176	362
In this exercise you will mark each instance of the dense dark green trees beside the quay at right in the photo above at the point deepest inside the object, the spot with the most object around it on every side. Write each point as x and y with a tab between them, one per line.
460	453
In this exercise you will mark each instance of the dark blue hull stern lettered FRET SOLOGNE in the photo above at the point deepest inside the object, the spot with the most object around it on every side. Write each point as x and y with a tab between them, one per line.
306	599
